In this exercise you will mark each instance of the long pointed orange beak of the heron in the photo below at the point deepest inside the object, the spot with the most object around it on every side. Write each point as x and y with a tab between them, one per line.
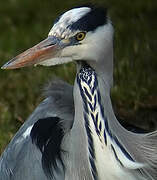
46	49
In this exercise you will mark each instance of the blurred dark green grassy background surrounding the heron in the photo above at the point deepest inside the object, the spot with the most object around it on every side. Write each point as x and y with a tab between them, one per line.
24	23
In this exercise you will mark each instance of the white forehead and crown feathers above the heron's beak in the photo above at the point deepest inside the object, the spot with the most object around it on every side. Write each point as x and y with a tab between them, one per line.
69	17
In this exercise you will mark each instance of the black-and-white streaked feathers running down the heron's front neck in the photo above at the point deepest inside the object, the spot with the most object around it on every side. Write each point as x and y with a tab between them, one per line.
87	79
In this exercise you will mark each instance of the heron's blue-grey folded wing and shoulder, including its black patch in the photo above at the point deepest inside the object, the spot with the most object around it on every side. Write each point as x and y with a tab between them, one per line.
28	155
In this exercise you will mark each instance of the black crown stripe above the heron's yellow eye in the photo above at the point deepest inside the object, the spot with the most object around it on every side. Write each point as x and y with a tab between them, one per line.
93	19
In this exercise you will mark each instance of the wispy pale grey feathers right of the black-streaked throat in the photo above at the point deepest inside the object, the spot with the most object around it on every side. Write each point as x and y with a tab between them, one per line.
142	148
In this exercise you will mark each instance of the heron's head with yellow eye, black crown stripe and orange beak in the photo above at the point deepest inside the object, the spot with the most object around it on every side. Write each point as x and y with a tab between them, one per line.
82	33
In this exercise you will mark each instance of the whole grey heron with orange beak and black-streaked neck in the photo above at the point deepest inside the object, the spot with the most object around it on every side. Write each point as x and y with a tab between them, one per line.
73	134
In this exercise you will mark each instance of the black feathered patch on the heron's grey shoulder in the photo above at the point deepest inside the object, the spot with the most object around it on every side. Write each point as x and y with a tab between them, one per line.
47	134
